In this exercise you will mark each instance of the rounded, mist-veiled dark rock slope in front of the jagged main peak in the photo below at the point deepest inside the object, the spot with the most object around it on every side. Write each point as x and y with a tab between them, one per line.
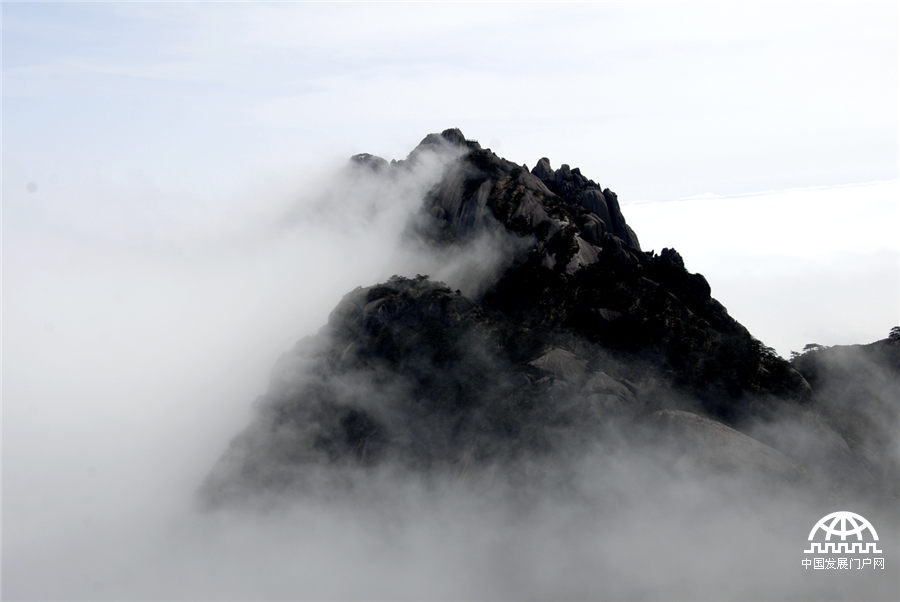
412	372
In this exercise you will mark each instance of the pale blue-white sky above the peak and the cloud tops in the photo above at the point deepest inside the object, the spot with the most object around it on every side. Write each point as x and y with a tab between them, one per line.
656	100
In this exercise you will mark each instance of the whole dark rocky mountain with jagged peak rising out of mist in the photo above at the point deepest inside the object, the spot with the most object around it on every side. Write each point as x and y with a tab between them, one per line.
580	333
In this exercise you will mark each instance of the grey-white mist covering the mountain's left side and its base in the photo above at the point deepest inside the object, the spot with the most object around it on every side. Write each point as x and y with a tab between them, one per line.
133	352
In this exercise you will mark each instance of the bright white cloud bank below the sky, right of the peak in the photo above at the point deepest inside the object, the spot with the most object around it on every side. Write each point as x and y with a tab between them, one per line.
794	266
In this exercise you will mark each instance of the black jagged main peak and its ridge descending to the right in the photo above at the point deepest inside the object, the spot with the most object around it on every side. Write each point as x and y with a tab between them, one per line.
586	274
